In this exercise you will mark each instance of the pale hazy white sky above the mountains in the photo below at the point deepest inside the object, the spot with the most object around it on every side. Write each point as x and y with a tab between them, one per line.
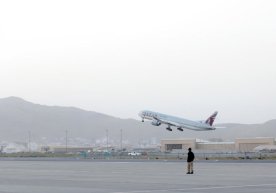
185	58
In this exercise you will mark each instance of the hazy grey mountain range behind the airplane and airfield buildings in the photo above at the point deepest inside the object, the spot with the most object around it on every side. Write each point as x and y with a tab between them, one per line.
19	118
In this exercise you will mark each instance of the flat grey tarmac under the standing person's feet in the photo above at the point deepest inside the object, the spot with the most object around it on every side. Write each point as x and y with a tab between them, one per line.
136	177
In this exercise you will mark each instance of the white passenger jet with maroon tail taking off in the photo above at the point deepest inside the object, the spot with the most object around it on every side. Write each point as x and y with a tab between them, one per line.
179	123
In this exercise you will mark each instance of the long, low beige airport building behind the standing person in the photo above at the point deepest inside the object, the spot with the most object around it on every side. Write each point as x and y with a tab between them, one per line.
240	145
